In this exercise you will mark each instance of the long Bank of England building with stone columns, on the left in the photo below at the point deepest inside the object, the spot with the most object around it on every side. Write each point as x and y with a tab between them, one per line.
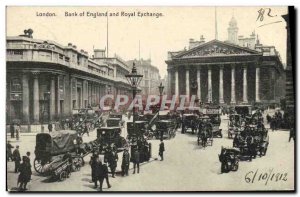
47	81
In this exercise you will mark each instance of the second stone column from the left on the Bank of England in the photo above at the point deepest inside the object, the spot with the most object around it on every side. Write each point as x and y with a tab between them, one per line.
36	99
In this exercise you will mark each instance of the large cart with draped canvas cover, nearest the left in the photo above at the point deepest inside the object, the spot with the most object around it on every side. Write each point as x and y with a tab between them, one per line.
51	148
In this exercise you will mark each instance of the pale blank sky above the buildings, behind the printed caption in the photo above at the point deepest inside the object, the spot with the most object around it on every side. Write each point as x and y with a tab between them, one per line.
156	35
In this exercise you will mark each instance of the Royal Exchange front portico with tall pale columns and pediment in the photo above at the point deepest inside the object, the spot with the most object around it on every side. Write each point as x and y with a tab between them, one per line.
224	73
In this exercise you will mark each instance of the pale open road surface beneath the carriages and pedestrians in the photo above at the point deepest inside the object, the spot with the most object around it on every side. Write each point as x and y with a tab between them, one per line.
187	167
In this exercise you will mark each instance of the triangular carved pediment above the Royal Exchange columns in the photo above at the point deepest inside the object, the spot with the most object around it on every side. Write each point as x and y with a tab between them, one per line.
216	48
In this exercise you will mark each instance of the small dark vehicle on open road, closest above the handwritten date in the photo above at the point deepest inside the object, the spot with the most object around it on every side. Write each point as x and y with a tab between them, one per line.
229	159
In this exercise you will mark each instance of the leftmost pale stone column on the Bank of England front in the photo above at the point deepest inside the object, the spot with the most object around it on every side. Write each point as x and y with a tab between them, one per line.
25	98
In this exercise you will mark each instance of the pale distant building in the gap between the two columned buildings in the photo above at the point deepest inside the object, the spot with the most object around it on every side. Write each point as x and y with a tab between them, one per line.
151	78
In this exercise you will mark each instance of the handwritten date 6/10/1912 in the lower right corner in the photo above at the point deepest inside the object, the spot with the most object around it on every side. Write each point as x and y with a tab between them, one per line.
265	176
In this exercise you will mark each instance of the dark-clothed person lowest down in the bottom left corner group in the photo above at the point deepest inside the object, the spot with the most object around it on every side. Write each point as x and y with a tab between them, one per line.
25	173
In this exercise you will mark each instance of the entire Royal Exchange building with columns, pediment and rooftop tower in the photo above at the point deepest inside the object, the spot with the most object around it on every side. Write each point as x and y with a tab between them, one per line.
239	70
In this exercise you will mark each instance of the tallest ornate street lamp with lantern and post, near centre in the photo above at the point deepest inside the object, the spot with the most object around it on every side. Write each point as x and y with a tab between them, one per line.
134	80
